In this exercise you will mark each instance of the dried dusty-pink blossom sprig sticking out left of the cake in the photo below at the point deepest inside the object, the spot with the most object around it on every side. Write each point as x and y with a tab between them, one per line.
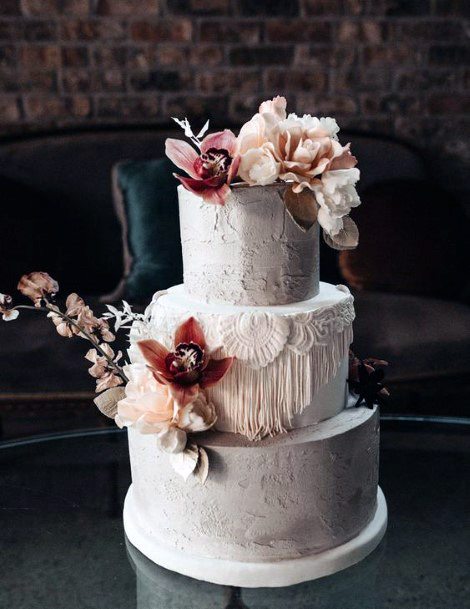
77	320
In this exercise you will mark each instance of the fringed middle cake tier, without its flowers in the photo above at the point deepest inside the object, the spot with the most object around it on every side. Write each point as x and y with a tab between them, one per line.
291	360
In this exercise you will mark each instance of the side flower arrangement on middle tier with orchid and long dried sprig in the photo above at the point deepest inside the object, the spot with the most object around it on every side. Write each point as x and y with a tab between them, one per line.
163	395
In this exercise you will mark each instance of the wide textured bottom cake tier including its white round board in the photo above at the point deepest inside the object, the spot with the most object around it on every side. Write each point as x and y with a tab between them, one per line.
272	513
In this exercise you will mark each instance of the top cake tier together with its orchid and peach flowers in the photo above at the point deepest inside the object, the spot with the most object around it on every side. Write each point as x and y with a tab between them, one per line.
256	242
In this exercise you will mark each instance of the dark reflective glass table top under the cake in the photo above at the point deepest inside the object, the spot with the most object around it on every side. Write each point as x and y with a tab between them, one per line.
62	543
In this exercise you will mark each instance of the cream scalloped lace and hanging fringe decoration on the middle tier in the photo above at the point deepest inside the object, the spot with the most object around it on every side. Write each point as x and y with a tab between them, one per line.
281	360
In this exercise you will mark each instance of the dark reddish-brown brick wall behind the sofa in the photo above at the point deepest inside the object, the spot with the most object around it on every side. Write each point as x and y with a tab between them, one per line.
388	66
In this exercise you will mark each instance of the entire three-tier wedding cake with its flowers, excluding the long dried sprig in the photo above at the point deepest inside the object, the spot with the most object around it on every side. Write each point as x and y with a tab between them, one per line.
253	462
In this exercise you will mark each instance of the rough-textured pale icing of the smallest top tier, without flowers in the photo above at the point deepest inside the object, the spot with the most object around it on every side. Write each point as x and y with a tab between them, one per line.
249	251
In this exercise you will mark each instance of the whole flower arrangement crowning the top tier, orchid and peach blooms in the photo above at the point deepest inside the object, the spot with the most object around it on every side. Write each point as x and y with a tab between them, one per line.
273	146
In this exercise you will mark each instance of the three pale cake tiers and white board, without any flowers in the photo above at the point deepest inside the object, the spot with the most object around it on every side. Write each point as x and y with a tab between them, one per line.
292	491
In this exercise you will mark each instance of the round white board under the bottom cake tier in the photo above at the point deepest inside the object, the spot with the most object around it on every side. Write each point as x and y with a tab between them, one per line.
259	574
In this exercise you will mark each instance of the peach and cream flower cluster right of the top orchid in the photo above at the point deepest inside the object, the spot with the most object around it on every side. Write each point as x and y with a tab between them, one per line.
304	151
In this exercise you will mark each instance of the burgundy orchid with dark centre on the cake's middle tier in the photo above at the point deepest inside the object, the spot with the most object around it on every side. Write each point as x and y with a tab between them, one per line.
188	367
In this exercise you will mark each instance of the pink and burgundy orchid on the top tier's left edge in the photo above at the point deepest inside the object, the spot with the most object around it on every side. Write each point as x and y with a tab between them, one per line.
212	170
